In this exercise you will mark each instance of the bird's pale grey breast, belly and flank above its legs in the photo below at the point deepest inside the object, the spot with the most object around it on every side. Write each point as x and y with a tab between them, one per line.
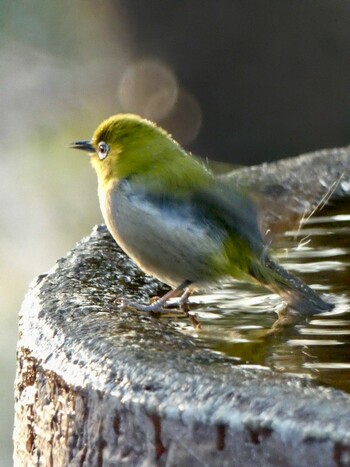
166	237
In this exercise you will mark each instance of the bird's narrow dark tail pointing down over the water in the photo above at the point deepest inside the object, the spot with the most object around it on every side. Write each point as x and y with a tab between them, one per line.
293	290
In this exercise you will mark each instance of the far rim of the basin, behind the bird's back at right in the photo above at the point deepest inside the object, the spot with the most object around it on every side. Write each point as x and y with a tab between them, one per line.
288	188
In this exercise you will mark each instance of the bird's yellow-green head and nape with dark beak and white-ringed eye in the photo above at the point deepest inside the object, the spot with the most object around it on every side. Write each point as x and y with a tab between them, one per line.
127	145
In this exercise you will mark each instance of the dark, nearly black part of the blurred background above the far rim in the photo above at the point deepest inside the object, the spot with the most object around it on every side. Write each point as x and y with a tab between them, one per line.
272	77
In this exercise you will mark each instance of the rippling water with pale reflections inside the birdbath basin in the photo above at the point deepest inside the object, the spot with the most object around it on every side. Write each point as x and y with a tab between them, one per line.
240	321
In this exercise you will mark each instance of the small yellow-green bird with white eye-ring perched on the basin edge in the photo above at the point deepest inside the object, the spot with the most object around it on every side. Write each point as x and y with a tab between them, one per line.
176	220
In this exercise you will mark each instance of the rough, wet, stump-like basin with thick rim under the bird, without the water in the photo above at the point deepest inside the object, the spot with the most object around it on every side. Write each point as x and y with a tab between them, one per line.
100	385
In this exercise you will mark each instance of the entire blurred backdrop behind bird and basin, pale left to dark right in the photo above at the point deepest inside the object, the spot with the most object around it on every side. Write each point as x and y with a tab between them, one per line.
236	81
